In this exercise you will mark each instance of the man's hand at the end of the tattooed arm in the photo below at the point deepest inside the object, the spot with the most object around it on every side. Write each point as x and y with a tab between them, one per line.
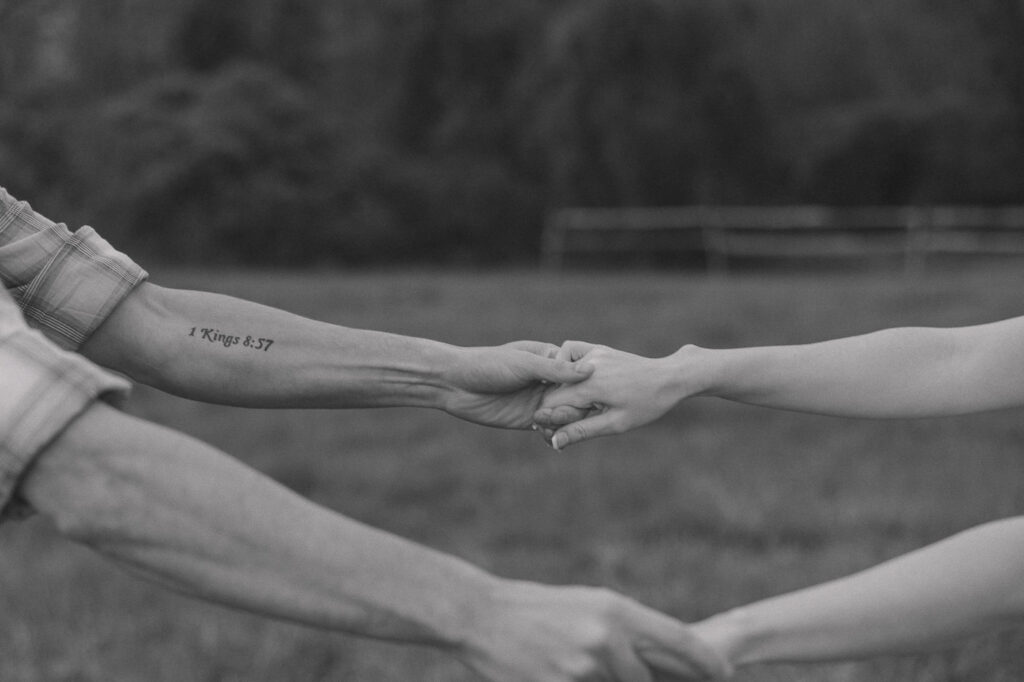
502	387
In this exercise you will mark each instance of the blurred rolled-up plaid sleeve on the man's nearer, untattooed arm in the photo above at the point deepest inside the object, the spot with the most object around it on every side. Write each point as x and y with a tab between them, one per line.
42	390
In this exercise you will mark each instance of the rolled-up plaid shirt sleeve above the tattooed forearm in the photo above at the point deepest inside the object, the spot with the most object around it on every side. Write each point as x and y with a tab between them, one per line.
66	283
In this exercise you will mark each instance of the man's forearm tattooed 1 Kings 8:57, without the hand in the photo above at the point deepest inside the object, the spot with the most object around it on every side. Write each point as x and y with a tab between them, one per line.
223	350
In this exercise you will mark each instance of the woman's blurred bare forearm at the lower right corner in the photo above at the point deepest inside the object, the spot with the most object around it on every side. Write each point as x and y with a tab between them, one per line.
960	587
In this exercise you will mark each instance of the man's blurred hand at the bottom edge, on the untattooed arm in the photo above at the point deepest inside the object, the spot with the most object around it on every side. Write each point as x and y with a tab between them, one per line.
538	633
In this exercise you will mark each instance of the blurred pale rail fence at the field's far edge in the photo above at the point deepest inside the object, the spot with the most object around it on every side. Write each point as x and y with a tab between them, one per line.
721	234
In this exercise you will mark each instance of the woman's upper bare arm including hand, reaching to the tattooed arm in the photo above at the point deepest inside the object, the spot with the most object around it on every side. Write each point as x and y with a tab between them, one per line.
909	372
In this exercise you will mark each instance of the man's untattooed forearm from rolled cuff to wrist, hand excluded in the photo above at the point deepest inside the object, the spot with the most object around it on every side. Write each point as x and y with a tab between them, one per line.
188	516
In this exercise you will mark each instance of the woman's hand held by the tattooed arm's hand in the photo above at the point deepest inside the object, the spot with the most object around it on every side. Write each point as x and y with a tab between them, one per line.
623	393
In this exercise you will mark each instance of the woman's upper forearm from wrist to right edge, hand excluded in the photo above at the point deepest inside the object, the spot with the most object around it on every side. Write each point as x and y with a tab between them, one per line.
909	372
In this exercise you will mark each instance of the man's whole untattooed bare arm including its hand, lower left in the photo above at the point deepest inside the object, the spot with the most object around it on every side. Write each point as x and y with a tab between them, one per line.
195	520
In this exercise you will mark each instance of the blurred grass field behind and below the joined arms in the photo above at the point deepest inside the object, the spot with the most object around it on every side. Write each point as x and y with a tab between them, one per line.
715	505
